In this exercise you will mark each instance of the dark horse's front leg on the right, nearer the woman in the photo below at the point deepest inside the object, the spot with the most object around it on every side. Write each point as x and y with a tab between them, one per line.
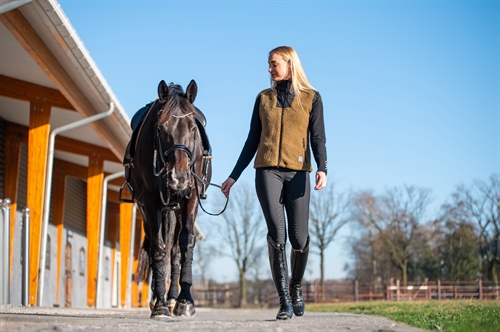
185	303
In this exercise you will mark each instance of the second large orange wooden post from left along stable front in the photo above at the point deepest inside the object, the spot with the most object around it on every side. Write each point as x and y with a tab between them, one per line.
94	206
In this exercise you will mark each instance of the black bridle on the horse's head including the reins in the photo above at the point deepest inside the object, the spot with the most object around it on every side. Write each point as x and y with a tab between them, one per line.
160	161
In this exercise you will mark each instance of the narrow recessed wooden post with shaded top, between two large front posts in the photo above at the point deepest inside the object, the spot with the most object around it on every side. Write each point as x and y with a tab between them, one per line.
58	202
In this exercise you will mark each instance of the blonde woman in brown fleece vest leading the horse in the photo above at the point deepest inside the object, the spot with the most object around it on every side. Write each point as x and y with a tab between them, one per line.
286	119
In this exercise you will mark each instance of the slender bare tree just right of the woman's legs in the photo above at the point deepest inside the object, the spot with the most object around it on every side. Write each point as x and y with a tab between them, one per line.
328	214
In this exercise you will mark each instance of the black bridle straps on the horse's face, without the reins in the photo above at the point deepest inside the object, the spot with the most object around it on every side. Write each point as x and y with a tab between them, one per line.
162	164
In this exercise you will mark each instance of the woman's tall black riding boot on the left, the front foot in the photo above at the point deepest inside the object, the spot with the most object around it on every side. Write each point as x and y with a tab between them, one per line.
277	260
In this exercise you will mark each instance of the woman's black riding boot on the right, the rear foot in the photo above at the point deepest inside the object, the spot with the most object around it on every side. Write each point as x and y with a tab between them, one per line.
298	262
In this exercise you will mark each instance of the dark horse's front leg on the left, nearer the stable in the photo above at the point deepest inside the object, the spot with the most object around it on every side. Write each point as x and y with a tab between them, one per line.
159	258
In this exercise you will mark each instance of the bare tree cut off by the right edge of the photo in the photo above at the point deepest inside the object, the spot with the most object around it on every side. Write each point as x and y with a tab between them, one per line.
480	204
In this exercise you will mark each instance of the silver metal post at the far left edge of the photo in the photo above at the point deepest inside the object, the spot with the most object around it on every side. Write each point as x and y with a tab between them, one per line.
5	251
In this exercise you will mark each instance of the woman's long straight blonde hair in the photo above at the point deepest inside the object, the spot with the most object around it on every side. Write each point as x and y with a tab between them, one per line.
297	74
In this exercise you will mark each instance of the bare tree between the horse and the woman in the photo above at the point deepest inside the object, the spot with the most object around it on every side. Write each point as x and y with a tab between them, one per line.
240	231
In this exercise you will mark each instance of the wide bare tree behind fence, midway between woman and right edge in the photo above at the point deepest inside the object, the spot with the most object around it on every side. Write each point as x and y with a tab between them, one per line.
397	218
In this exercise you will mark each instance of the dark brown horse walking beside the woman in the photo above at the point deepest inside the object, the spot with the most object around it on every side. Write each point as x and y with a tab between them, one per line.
168	174
